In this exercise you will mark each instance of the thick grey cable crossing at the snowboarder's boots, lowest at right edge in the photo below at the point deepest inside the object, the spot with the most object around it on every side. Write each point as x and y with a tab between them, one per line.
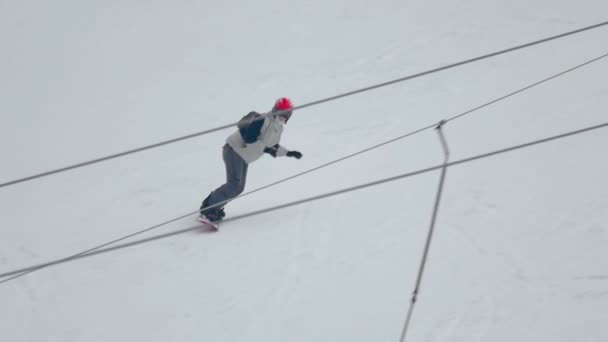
20	273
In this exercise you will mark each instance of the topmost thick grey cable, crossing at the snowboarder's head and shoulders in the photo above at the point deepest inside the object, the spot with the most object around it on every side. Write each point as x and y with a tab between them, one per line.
310	104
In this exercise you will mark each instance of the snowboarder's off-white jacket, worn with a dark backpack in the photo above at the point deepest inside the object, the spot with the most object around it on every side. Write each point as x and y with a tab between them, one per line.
270	135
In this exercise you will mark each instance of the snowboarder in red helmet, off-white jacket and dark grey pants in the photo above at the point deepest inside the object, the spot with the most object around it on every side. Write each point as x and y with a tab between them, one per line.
257	134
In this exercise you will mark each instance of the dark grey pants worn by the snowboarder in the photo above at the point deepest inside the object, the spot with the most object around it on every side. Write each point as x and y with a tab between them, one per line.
236	176
